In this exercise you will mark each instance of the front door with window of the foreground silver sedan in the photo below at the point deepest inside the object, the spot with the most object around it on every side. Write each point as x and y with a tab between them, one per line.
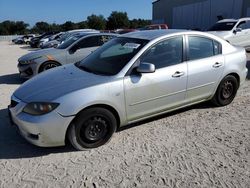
150	93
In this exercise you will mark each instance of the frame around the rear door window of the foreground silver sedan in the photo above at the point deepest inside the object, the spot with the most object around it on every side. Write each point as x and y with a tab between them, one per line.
213	40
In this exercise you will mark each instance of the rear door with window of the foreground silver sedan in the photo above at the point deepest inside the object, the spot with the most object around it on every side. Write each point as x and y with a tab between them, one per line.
205	67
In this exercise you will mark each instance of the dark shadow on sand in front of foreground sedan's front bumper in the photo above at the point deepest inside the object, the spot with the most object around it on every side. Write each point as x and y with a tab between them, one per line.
14	146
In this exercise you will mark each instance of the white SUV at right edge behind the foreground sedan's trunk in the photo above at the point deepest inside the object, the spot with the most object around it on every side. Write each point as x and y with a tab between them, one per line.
237	32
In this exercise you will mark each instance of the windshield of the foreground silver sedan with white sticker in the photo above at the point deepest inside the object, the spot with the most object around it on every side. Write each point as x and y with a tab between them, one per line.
112	56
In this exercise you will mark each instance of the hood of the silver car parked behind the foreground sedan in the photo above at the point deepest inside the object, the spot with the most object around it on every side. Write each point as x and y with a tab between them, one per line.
39	53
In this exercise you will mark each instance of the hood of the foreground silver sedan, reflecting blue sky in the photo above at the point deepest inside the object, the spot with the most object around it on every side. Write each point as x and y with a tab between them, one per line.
57	82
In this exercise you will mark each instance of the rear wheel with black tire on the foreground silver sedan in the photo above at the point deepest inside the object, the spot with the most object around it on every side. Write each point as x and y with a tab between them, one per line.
226	91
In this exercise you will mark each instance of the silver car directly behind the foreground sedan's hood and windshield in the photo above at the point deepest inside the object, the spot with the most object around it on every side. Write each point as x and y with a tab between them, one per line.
72	50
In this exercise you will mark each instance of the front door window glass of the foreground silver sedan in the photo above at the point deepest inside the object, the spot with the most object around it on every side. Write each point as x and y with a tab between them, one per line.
165	53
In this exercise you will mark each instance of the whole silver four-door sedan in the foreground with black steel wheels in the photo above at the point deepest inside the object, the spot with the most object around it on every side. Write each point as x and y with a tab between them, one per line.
132	77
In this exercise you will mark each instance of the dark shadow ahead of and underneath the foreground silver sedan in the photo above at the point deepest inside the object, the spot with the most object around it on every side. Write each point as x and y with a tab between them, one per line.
14	146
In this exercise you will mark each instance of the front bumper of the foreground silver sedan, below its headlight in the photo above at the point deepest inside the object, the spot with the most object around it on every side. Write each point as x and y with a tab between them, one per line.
47	130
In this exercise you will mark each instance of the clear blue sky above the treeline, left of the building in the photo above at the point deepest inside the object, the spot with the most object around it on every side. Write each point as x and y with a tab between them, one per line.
60	11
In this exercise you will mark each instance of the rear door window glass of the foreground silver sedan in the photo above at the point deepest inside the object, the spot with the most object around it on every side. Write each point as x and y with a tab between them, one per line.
200	47
